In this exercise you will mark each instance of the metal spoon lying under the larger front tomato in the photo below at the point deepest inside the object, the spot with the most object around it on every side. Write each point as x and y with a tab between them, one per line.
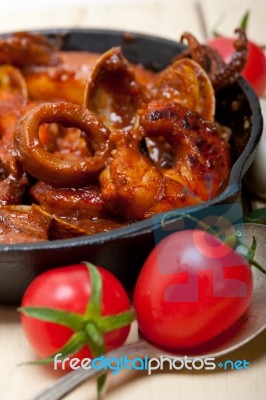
242	332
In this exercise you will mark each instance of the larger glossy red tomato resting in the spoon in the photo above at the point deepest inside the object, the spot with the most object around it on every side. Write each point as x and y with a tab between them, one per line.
191	288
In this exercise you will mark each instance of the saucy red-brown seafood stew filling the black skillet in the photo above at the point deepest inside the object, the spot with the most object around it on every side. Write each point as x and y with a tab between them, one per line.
92	142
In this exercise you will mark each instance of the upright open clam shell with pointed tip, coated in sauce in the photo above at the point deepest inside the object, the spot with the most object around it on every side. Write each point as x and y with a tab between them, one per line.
112	91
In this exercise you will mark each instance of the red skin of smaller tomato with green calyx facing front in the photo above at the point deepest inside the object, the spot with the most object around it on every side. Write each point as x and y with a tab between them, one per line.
69	289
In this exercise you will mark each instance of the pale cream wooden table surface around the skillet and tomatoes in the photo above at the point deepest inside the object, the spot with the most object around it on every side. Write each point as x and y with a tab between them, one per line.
168	18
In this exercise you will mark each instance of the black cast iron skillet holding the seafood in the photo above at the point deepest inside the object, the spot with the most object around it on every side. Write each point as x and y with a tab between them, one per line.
123	250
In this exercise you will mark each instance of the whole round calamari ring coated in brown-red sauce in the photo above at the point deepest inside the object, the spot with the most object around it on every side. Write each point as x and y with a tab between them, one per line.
48	168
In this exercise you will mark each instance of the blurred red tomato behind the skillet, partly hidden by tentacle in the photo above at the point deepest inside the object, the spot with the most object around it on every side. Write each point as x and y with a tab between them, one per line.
255	68
